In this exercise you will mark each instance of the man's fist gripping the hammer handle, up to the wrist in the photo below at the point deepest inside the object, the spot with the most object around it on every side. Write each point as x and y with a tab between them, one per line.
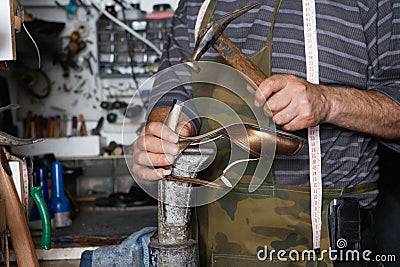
295	103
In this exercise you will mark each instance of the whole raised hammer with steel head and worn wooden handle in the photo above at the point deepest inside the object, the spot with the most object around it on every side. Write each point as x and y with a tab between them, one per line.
213	36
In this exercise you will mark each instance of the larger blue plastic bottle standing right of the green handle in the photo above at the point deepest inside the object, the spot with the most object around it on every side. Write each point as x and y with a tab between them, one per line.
59	201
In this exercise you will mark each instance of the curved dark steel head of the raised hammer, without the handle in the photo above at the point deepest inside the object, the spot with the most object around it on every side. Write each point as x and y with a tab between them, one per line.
214	29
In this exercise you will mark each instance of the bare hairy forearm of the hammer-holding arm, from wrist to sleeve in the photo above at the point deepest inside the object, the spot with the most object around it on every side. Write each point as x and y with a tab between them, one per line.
369	112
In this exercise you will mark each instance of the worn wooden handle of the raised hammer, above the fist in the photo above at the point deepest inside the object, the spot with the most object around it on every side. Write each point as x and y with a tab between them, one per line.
234	56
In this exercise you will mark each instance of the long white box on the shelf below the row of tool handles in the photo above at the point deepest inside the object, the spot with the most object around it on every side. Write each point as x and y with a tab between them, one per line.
74	146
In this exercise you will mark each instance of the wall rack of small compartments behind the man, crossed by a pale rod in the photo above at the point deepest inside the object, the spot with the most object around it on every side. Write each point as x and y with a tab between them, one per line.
116	49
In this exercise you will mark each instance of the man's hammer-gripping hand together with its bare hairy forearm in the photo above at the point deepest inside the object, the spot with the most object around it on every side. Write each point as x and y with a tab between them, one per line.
297	104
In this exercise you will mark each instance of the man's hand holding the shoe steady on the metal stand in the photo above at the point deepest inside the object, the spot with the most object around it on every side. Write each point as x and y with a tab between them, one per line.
157	146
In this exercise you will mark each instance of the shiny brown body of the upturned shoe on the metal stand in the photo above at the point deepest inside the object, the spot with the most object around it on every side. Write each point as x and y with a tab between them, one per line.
252	138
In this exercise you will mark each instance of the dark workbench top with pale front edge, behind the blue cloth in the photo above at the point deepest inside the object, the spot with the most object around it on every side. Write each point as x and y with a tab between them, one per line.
93	226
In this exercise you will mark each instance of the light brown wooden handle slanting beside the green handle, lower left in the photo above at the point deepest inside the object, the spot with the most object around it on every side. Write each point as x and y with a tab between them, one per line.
16	221
